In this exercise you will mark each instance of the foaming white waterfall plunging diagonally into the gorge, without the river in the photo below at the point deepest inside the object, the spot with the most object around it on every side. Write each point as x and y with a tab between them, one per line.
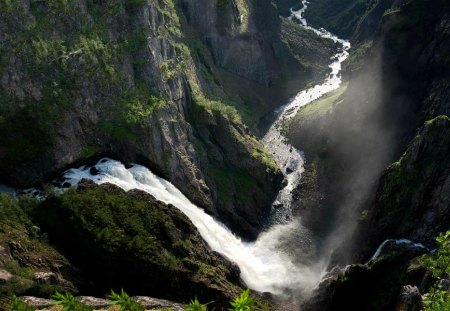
263	267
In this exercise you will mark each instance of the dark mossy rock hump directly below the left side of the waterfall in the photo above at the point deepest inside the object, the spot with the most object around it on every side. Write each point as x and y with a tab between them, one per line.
136	243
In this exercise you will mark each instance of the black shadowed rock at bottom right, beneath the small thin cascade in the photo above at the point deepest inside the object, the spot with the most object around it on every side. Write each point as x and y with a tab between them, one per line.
374	286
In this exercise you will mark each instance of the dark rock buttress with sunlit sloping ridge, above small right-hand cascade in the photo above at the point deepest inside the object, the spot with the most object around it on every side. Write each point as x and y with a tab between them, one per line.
415	189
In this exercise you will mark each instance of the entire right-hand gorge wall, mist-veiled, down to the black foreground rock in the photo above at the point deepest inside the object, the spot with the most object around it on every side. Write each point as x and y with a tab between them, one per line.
395	108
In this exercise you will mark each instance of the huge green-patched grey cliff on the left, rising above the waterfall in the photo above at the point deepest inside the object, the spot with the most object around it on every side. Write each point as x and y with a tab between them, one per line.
81	79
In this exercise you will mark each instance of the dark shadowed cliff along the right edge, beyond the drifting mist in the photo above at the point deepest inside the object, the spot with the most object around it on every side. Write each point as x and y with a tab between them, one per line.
417	95
